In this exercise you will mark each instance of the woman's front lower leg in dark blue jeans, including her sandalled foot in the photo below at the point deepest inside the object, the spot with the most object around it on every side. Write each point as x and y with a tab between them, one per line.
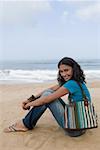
29	121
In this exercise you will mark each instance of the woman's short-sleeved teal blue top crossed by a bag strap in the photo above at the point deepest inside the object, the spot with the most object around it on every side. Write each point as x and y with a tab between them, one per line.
75	91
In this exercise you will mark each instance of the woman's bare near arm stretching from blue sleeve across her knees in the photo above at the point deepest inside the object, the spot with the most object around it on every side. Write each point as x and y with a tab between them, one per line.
47	99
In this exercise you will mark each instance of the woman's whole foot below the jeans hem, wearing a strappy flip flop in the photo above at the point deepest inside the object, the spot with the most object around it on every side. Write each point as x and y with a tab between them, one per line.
17	127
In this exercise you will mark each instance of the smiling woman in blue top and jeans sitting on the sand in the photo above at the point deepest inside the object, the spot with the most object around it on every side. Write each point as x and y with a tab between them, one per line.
70	76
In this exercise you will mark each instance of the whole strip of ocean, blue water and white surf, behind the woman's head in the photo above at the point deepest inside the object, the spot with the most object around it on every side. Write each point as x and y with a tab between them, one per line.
42	71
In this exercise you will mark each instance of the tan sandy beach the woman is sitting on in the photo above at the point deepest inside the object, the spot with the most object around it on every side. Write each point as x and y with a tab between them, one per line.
47	135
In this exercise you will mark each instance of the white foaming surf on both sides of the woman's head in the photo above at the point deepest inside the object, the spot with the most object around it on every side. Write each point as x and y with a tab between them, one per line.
38	76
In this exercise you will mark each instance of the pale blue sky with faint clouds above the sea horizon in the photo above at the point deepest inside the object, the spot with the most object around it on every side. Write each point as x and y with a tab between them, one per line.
49	29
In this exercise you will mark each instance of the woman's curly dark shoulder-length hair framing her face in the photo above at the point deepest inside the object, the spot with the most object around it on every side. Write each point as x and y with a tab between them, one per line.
78	74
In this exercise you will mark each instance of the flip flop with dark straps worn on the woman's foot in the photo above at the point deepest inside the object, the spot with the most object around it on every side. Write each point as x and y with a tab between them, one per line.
13	128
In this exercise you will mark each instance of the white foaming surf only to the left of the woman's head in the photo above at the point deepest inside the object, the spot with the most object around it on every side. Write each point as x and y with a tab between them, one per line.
38	76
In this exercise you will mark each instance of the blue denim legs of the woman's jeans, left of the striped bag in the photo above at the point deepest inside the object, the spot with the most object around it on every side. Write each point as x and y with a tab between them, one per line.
56	107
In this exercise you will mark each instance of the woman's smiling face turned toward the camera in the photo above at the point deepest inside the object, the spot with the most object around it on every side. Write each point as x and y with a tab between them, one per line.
66	72
